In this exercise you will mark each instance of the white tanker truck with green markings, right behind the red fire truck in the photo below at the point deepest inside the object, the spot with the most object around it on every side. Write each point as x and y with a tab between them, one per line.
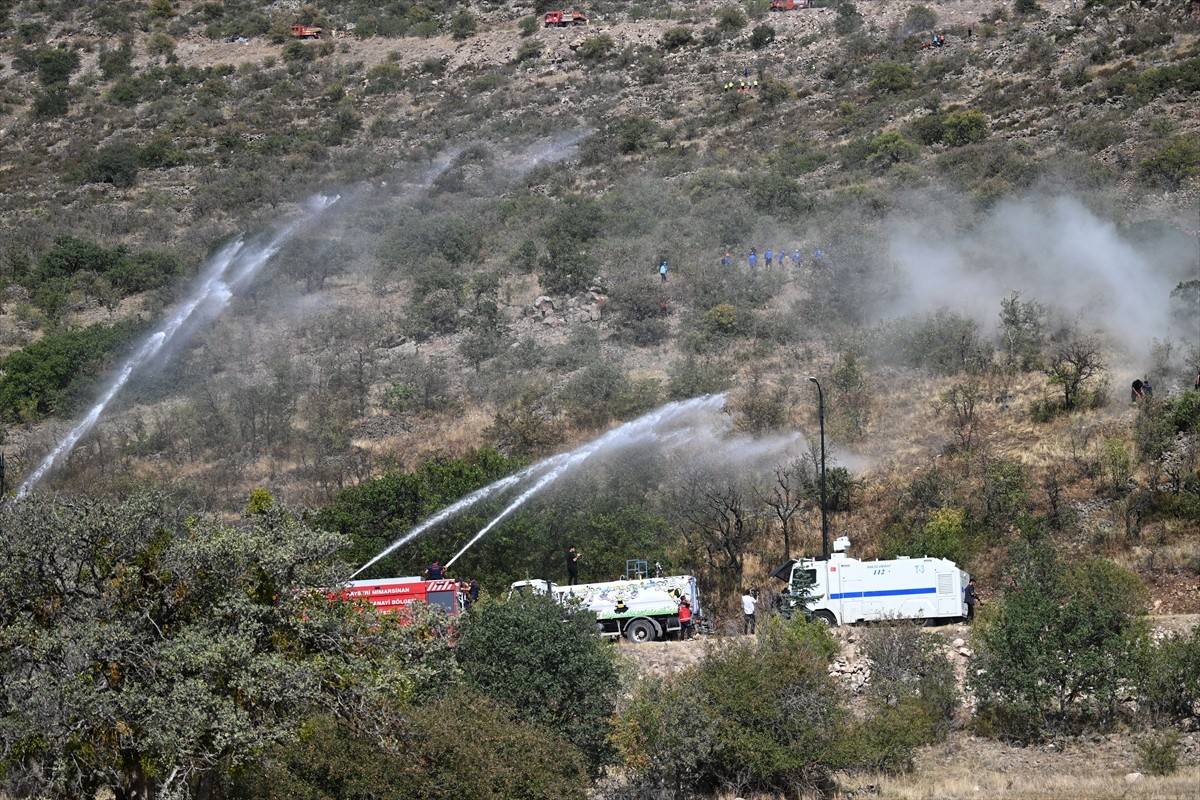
640	609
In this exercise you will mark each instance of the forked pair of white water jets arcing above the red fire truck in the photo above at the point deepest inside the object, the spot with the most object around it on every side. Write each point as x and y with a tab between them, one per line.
661	425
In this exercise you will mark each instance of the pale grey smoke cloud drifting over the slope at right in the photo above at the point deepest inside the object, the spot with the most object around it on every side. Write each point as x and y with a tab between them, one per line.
1054	251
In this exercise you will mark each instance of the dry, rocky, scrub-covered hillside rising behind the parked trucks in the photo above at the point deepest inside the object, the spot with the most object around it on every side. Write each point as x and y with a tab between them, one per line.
489	276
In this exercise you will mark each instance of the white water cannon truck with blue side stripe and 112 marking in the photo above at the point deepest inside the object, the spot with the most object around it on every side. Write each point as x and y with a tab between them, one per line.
844	591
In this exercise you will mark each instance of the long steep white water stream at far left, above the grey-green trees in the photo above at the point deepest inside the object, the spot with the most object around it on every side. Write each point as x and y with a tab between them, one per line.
230	269
